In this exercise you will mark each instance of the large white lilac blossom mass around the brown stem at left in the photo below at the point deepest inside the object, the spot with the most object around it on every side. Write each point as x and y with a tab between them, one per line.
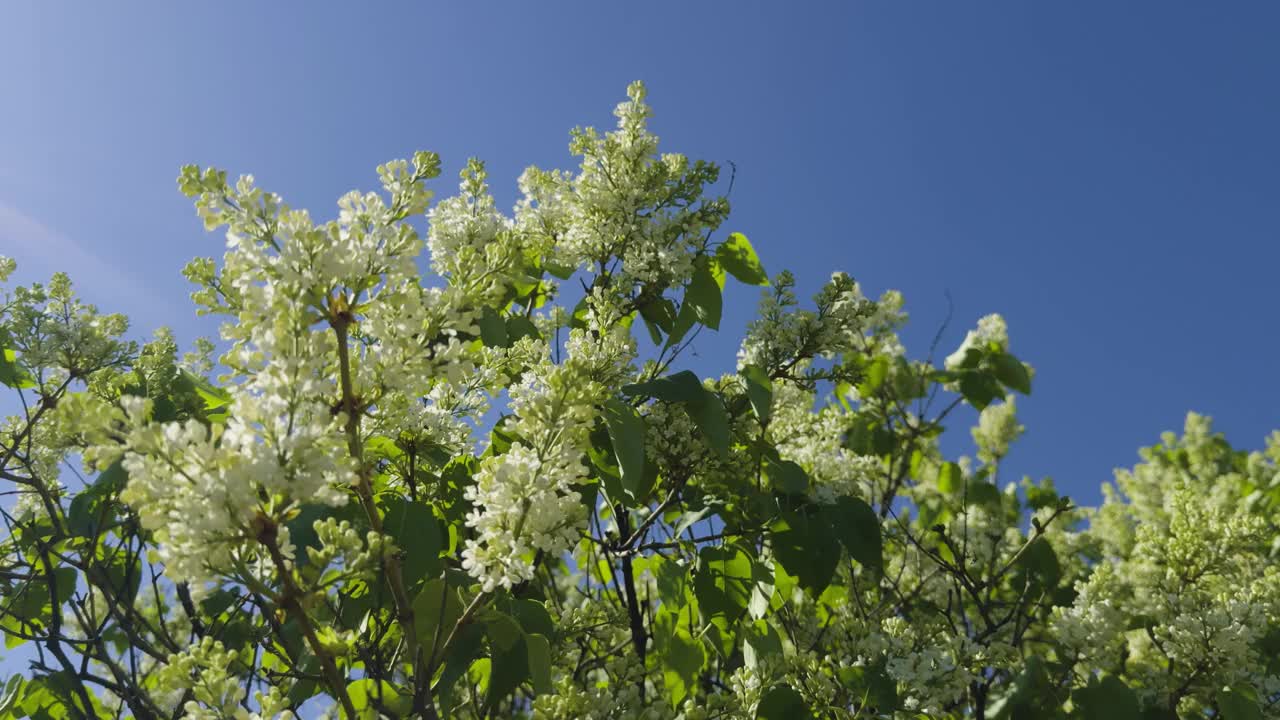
322	312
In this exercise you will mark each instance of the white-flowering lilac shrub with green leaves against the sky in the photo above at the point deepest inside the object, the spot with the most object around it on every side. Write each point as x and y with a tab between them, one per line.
497	493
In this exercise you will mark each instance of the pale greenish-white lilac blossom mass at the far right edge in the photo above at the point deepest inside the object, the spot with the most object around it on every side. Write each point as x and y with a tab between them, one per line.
1187	586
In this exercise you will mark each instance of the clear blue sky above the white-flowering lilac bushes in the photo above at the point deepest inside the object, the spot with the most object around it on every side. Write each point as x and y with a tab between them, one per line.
1103	174
